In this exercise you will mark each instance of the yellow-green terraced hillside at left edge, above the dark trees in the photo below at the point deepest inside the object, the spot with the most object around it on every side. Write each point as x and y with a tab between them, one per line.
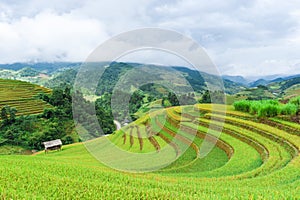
22	96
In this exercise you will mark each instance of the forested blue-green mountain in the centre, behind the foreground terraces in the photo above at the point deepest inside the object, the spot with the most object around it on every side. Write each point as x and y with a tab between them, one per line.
198	81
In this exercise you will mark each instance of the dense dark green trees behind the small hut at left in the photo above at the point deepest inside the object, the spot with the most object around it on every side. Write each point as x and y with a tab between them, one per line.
54	123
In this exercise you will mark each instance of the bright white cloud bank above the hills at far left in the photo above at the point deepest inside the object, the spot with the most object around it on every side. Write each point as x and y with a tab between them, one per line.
49	36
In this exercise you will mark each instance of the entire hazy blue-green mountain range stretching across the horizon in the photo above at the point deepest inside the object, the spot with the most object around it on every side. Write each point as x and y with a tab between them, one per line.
60	73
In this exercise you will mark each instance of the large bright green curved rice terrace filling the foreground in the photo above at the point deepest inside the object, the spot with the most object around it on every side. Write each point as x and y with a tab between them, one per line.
252	159
